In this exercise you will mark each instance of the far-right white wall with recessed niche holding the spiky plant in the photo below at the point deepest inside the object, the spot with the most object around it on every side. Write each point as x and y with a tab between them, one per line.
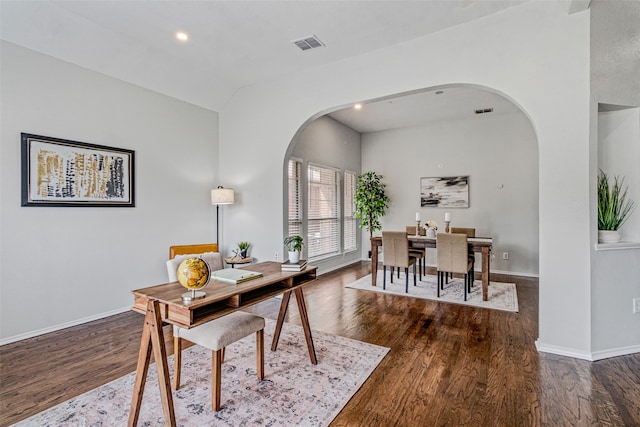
615	147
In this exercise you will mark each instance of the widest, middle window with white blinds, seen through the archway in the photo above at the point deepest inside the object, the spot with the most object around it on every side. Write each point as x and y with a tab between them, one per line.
323	216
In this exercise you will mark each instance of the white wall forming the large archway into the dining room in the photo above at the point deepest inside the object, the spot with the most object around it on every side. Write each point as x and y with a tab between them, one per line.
535	54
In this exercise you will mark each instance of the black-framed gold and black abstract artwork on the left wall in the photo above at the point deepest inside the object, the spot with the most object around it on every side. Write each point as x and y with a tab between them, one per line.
59	172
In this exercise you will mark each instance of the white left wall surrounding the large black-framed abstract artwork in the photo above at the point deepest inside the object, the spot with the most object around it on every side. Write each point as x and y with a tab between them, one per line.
61	266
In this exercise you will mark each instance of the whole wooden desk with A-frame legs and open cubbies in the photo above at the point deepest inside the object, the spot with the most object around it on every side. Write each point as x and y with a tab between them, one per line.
163	304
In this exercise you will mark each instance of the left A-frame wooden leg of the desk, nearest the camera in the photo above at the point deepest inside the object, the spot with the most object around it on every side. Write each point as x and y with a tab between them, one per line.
152	338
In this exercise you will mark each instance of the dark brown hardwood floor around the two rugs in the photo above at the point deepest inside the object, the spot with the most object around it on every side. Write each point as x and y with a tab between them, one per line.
448	365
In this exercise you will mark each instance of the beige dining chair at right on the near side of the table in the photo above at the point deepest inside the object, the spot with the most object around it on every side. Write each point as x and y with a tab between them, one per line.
452	257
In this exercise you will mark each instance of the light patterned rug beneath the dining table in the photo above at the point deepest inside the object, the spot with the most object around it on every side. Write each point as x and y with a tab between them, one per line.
502	296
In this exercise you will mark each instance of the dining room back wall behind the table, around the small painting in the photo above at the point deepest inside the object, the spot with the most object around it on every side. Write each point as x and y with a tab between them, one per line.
493	151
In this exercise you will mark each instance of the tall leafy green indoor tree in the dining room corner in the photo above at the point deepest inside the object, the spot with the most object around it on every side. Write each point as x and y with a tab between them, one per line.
371	201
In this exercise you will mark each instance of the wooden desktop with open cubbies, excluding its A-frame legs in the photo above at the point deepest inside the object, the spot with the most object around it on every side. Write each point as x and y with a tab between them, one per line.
221	297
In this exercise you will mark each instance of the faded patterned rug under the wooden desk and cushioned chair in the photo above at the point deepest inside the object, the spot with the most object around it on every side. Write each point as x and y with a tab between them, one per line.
293	393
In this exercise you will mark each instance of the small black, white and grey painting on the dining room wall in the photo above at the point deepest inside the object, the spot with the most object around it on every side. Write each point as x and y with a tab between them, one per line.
445	192
